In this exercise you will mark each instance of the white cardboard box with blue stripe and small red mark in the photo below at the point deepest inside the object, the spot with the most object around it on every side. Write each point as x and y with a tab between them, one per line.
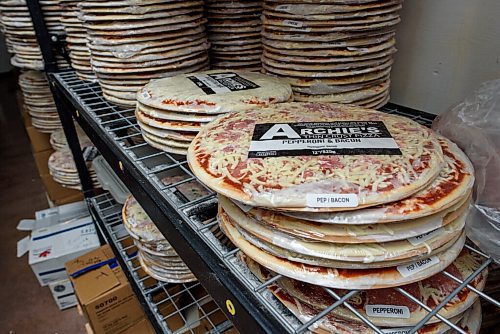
51	247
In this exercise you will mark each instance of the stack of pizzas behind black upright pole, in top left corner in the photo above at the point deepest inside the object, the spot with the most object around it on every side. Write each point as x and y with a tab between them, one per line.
20	34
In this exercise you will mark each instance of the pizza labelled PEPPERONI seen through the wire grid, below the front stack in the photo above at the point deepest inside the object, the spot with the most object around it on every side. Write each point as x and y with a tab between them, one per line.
389	307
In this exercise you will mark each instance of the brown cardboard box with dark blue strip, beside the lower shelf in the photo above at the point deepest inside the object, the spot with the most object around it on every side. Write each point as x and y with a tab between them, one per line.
104	293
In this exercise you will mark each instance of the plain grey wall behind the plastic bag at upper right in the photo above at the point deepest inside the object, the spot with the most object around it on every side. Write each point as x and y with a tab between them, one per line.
446	48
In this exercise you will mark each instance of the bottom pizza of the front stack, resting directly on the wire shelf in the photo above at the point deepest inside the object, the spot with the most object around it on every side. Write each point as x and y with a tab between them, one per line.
346	278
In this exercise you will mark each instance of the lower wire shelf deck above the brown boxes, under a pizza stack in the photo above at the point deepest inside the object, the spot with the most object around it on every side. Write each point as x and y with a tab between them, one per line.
175	308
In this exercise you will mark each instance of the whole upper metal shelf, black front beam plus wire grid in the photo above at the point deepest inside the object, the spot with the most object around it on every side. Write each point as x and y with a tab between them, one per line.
189	224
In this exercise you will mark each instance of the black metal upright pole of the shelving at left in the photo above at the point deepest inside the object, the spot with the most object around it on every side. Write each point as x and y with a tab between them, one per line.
46	42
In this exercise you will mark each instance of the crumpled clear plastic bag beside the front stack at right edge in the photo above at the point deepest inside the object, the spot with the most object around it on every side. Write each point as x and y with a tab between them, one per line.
474	125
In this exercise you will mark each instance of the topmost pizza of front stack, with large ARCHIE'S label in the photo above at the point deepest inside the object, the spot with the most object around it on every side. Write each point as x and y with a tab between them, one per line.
275	169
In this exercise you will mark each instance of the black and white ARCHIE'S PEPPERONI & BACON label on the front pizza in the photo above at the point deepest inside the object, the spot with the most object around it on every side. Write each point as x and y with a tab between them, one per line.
322	138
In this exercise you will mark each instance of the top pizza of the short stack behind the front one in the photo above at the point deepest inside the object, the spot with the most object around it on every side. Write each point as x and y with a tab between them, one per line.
214	92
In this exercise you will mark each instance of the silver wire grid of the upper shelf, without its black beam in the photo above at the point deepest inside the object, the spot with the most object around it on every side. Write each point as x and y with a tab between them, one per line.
200	212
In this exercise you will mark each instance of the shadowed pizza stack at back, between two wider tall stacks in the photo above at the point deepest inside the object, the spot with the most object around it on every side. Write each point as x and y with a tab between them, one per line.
234	29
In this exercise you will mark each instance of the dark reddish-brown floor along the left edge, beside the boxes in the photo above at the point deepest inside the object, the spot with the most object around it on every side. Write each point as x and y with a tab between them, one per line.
26	306
